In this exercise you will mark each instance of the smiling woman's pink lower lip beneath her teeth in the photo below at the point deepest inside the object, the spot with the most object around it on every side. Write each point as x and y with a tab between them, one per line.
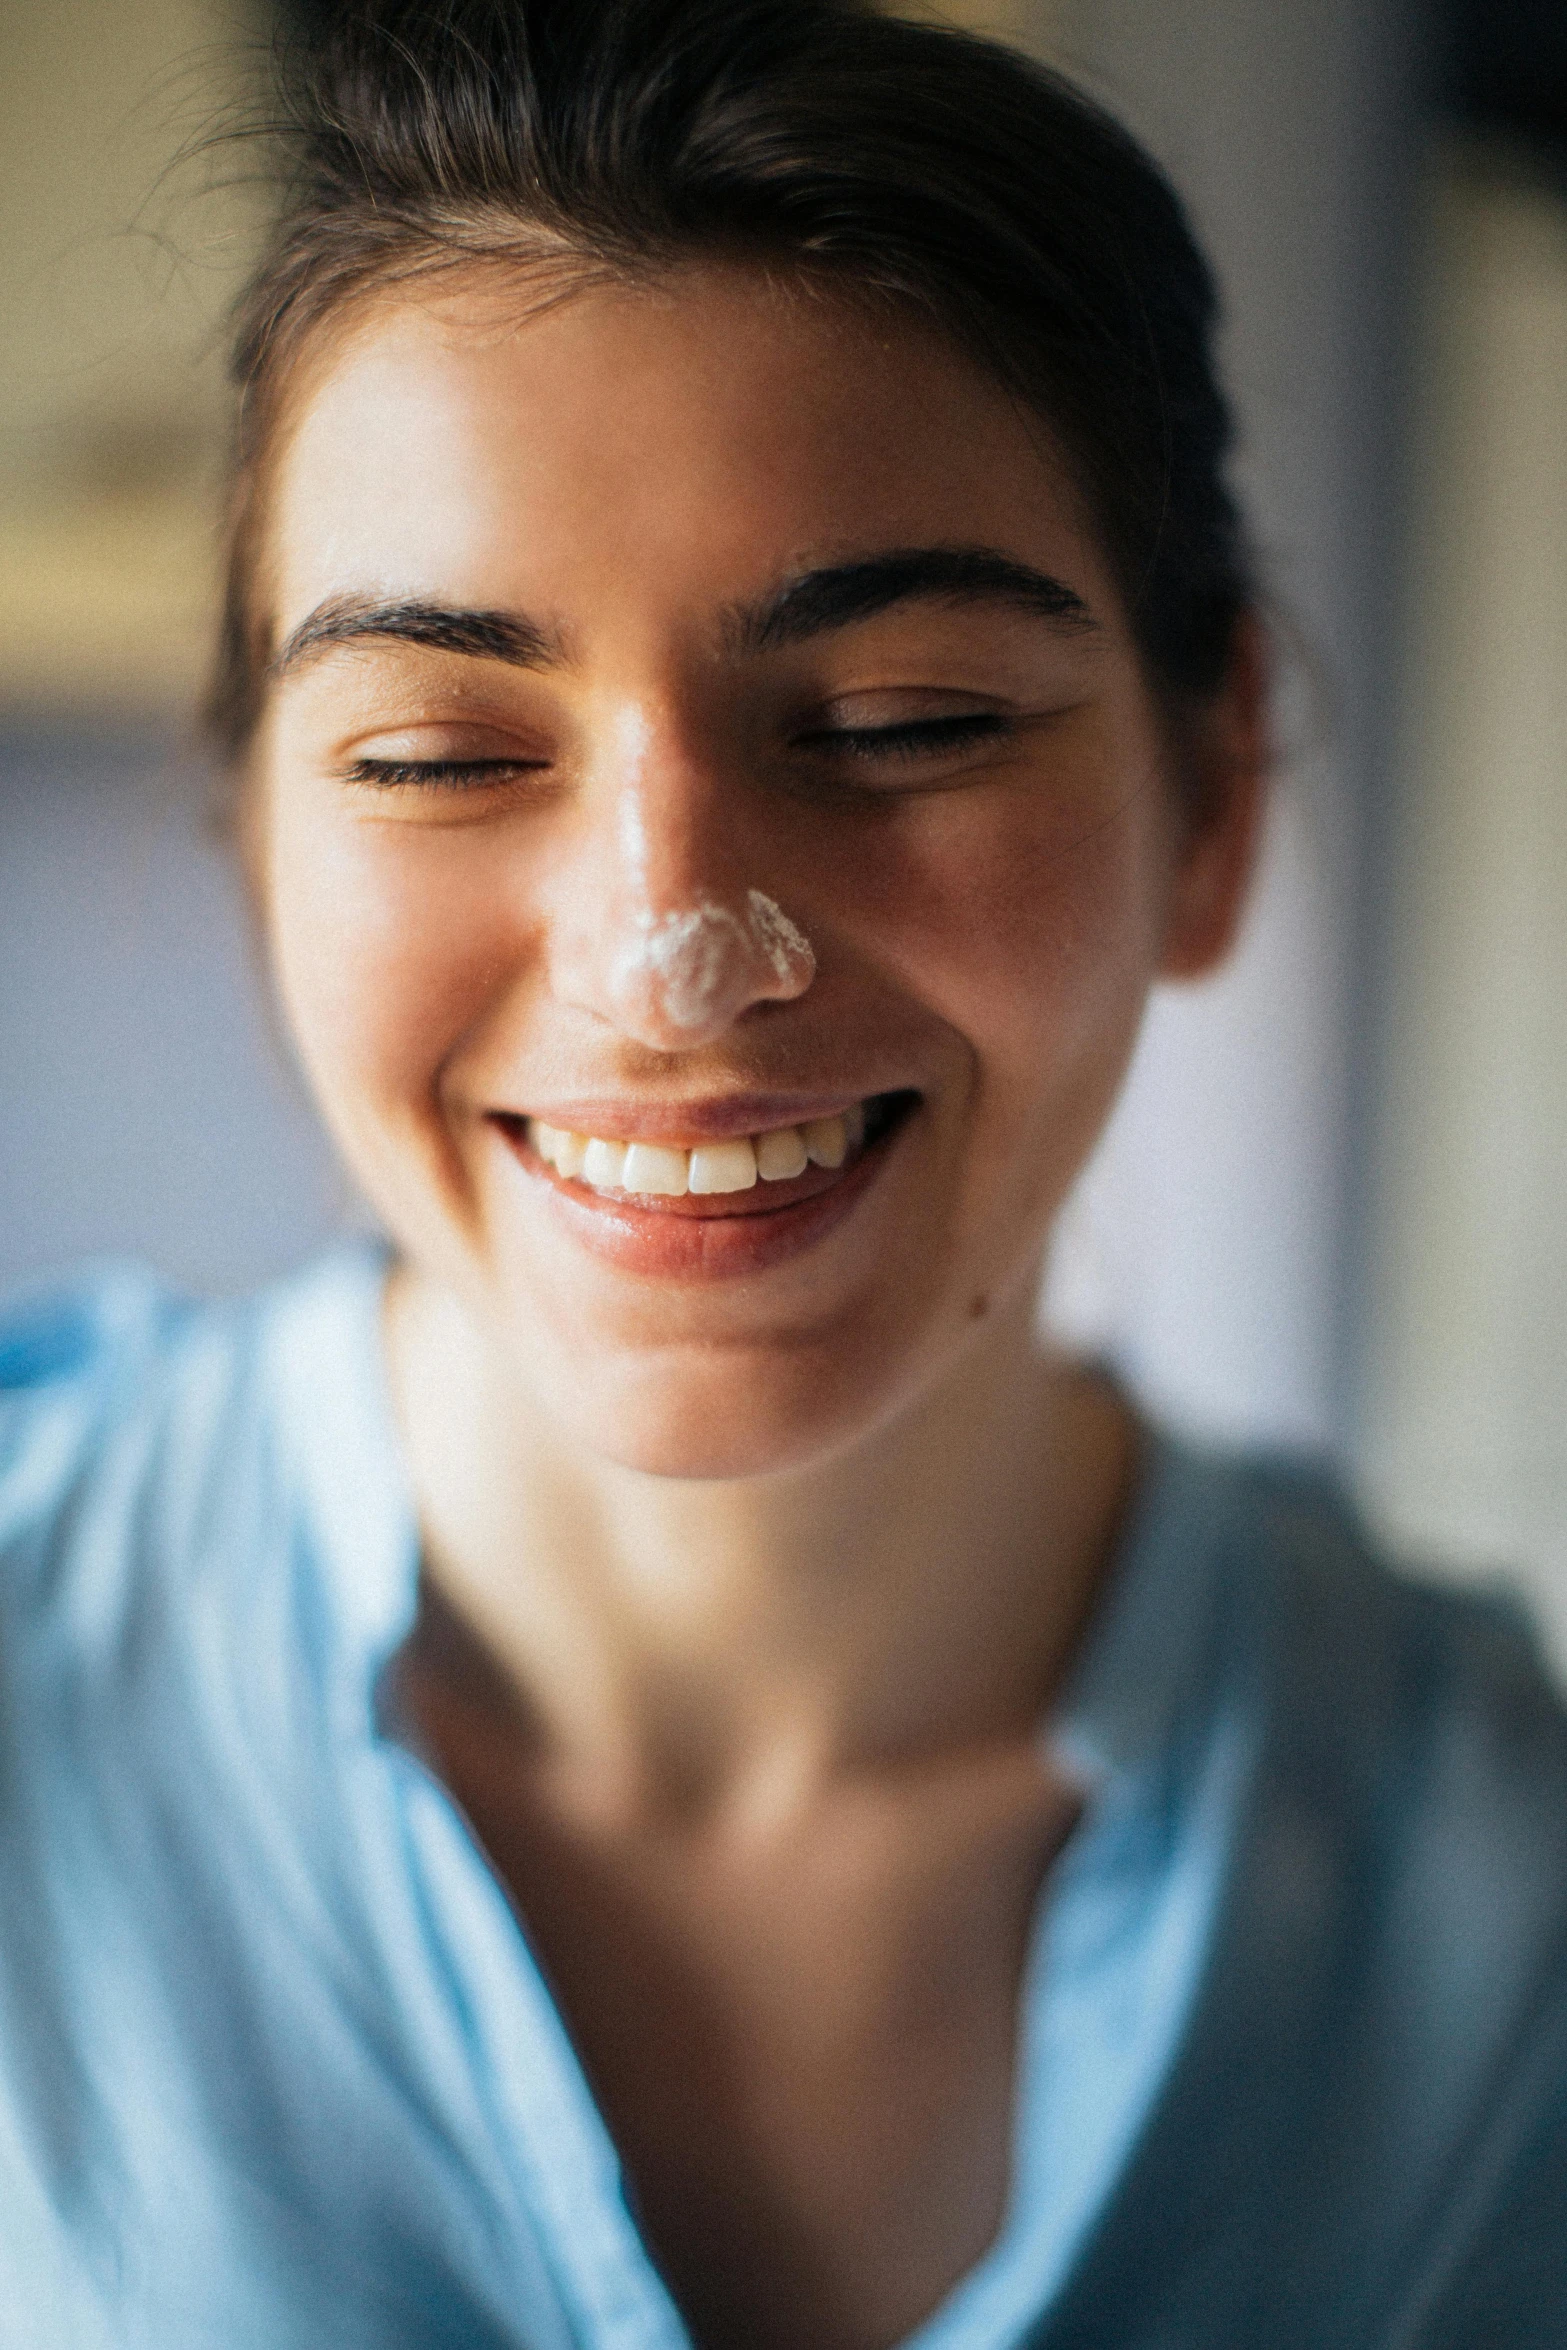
704	1240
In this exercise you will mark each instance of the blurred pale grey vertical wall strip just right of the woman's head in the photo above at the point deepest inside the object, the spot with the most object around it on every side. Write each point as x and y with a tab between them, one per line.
1218	1240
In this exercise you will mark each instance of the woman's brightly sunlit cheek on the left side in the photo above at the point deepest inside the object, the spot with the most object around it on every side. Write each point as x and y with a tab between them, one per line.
386	948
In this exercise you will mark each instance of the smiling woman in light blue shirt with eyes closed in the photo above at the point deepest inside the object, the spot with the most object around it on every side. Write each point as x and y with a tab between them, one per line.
647	1766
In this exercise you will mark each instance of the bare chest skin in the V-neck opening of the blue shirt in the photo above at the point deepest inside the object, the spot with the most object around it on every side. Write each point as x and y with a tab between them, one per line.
802	2034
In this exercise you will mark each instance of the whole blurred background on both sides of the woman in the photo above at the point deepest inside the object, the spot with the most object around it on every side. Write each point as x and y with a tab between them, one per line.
1333	1207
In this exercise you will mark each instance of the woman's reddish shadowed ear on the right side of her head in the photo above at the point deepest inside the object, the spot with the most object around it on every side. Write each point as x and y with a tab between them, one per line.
1223	760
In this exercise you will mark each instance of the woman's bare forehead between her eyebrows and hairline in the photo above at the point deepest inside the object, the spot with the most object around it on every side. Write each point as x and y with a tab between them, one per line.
635	450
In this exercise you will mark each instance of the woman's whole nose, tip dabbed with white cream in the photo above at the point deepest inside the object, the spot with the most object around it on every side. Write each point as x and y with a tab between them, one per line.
673	941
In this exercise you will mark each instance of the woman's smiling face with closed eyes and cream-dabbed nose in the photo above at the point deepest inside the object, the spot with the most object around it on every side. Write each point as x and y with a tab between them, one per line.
704	713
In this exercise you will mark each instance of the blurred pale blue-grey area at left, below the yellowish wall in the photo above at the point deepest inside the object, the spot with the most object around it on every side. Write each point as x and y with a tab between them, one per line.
147	1106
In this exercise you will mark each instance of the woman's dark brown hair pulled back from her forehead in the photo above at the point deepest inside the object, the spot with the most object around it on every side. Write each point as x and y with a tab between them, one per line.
906	161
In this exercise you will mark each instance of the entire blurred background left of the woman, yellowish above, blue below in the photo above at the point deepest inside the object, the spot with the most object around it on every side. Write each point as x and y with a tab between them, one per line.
144	1101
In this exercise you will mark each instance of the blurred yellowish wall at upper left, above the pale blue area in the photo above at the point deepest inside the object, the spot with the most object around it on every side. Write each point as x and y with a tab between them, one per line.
116	262
